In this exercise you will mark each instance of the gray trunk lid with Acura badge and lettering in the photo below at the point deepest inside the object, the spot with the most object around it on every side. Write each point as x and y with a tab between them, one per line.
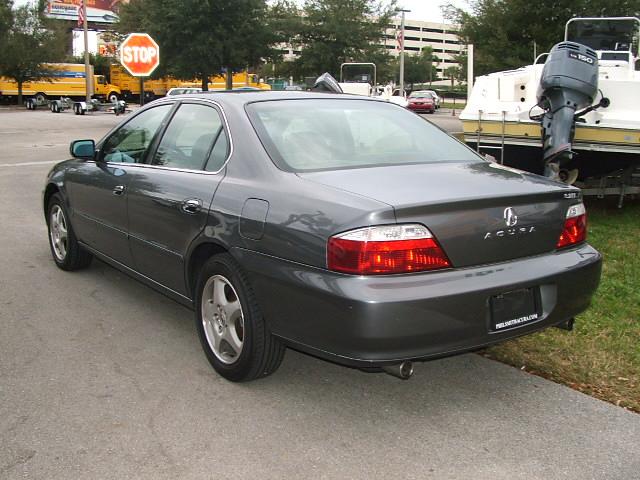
479	212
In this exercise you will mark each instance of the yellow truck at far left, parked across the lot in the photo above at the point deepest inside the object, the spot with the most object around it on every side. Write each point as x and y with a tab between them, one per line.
63	80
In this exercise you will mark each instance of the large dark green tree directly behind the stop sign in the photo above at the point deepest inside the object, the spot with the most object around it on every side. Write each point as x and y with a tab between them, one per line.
203	38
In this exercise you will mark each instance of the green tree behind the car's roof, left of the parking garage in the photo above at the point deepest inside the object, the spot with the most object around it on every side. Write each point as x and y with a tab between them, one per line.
336	31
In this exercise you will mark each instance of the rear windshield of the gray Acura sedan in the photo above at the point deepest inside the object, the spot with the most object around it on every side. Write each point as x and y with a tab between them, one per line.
329	134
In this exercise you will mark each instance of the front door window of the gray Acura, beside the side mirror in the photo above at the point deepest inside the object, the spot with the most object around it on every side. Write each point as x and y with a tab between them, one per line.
130	142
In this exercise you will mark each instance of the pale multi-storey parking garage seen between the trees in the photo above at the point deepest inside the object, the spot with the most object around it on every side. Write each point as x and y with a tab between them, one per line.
441	37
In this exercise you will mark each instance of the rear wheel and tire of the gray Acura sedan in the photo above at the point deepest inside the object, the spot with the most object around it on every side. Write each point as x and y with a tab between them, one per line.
229	319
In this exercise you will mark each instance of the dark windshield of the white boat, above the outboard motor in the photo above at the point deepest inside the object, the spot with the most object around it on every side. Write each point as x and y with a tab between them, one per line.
617	35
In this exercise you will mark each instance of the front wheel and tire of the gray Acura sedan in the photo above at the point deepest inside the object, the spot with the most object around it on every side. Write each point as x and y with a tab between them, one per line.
65	249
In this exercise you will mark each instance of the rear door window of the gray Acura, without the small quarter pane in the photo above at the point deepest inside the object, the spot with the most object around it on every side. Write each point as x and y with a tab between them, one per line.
189	139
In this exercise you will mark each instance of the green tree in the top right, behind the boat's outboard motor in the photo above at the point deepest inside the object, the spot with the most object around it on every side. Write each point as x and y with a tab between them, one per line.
503	31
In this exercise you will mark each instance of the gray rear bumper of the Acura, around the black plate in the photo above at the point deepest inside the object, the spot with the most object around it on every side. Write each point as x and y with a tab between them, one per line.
377	320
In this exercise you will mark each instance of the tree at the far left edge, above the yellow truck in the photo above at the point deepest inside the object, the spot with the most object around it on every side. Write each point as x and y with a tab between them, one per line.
27	45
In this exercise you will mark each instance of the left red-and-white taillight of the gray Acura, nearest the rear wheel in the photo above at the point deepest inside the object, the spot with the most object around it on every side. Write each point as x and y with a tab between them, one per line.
385	250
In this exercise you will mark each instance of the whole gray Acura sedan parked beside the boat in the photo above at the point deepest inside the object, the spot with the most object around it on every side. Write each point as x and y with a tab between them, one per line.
341	226
